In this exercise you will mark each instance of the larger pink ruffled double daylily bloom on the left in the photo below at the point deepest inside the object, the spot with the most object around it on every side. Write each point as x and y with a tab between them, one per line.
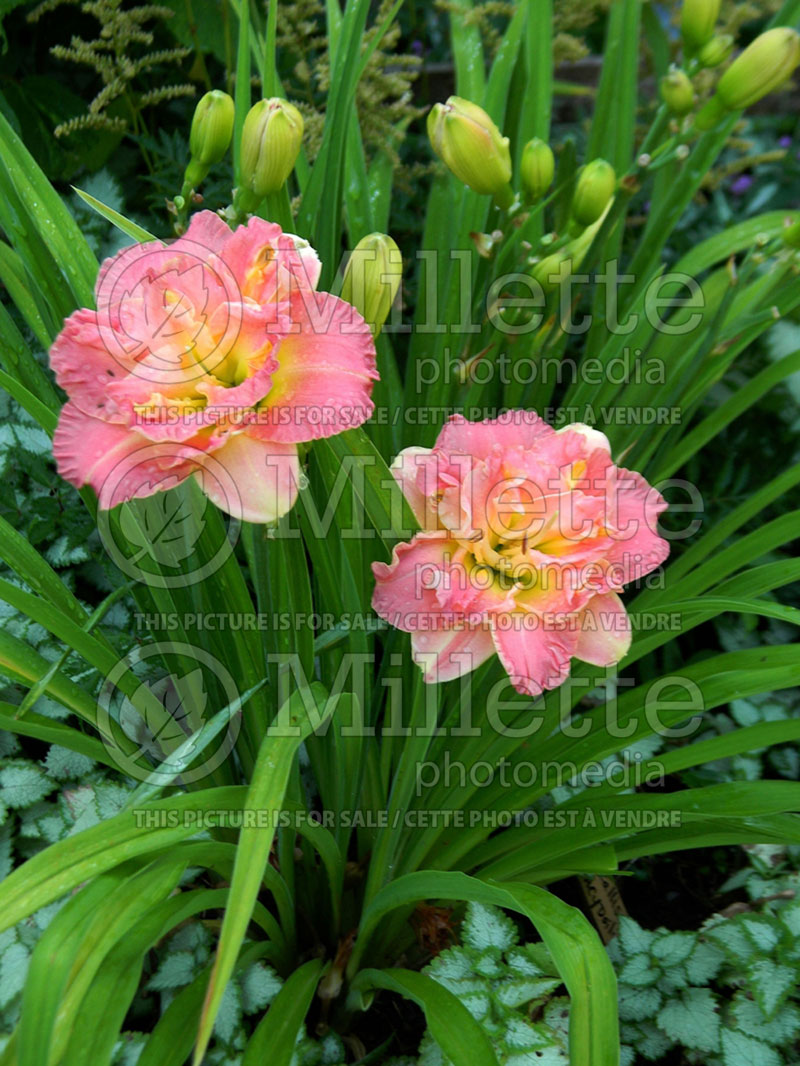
213	357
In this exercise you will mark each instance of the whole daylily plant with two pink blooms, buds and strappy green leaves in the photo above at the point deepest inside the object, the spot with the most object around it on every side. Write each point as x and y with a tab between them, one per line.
413	584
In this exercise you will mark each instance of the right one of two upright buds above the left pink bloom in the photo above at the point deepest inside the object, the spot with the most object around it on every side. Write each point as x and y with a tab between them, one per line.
271	139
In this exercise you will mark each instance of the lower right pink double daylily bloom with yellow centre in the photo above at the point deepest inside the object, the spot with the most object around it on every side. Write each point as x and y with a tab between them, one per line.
527	537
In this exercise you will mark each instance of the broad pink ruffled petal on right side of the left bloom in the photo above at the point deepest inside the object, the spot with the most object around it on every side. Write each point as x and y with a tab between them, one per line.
326	372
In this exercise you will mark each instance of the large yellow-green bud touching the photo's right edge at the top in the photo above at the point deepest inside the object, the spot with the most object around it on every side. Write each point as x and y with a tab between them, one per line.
764	66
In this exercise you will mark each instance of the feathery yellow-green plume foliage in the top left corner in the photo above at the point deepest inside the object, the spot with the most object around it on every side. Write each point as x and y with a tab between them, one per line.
121	55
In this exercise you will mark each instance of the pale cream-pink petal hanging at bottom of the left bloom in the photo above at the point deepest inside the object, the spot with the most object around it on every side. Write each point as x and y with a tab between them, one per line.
266	476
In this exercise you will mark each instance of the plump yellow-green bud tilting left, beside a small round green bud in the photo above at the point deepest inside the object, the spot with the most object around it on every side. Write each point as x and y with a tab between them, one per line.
465	137
